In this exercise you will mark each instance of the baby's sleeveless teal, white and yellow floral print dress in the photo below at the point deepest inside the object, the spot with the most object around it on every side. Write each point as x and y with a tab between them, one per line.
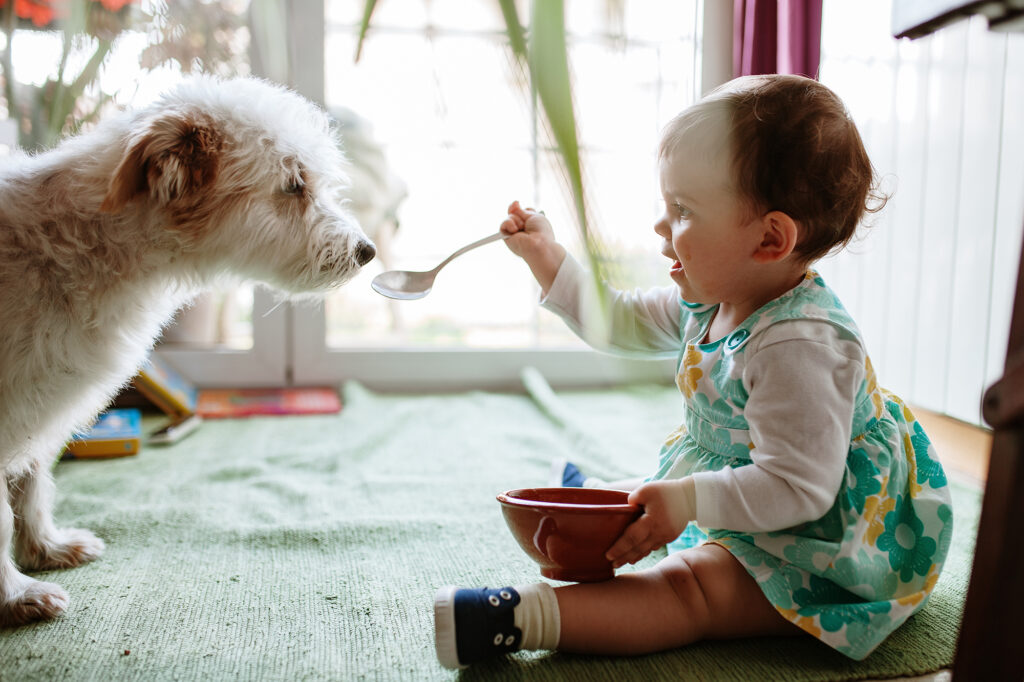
856	575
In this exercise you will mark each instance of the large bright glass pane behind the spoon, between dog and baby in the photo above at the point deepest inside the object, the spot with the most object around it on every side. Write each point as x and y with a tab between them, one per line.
451	127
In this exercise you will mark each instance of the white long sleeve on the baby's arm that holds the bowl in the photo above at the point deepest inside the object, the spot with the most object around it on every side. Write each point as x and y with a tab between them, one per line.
803	380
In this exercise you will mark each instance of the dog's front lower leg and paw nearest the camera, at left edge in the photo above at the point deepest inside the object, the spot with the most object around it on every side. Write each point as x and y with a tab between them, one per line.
22	599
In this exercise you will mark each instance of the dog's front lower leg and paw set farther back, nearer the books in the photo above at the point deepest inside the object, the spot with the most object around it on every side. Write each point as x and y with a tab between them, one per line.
39	544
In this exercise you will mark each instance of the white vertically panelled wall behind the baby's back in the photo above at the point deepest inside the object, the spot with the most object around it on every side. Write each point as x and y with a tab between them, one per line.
932	282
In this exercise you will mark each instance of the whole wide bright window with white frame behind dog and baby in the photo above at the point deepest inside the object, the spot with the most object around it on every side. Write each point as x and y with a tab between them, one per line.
437	98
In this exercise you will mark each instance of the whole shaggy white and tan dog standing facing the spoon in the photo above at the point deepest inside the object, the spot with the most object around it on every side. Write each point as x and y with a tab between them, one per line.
103	239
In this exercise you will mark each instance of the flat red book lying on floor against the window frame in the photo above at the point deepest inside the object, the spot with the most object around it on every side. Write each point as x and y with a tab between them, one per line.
250	402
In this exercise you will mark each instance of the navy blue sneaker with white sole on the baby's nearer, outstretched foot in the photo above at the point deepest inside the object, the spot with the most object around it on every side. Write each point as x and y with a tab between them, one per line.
475	625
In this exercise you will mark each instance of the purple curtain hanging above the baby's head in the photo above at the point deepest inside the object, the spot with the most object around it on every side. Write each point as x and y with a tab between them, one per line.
777	37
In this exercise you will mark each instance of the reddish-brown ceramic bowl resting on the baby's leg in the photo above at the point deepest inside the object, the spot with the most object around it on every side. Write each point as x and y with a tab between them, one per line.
568	530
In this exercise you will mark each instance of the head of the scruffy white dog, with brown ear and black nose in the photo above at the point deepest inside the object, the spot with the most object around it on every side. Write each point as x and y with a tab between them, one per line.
248	177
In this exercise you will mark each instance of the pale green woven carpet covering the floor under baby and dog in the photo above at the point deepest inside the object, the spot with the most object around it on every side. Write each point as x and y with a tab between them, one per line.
311	548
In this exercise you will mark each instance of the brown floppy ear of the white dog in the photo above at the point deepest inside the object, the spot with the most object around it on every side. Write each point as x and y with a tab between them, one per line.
175	159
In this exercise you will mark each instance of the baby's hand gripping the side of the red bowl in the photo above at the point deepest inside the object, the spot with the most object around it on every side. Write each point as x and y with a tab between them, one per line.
668	508
